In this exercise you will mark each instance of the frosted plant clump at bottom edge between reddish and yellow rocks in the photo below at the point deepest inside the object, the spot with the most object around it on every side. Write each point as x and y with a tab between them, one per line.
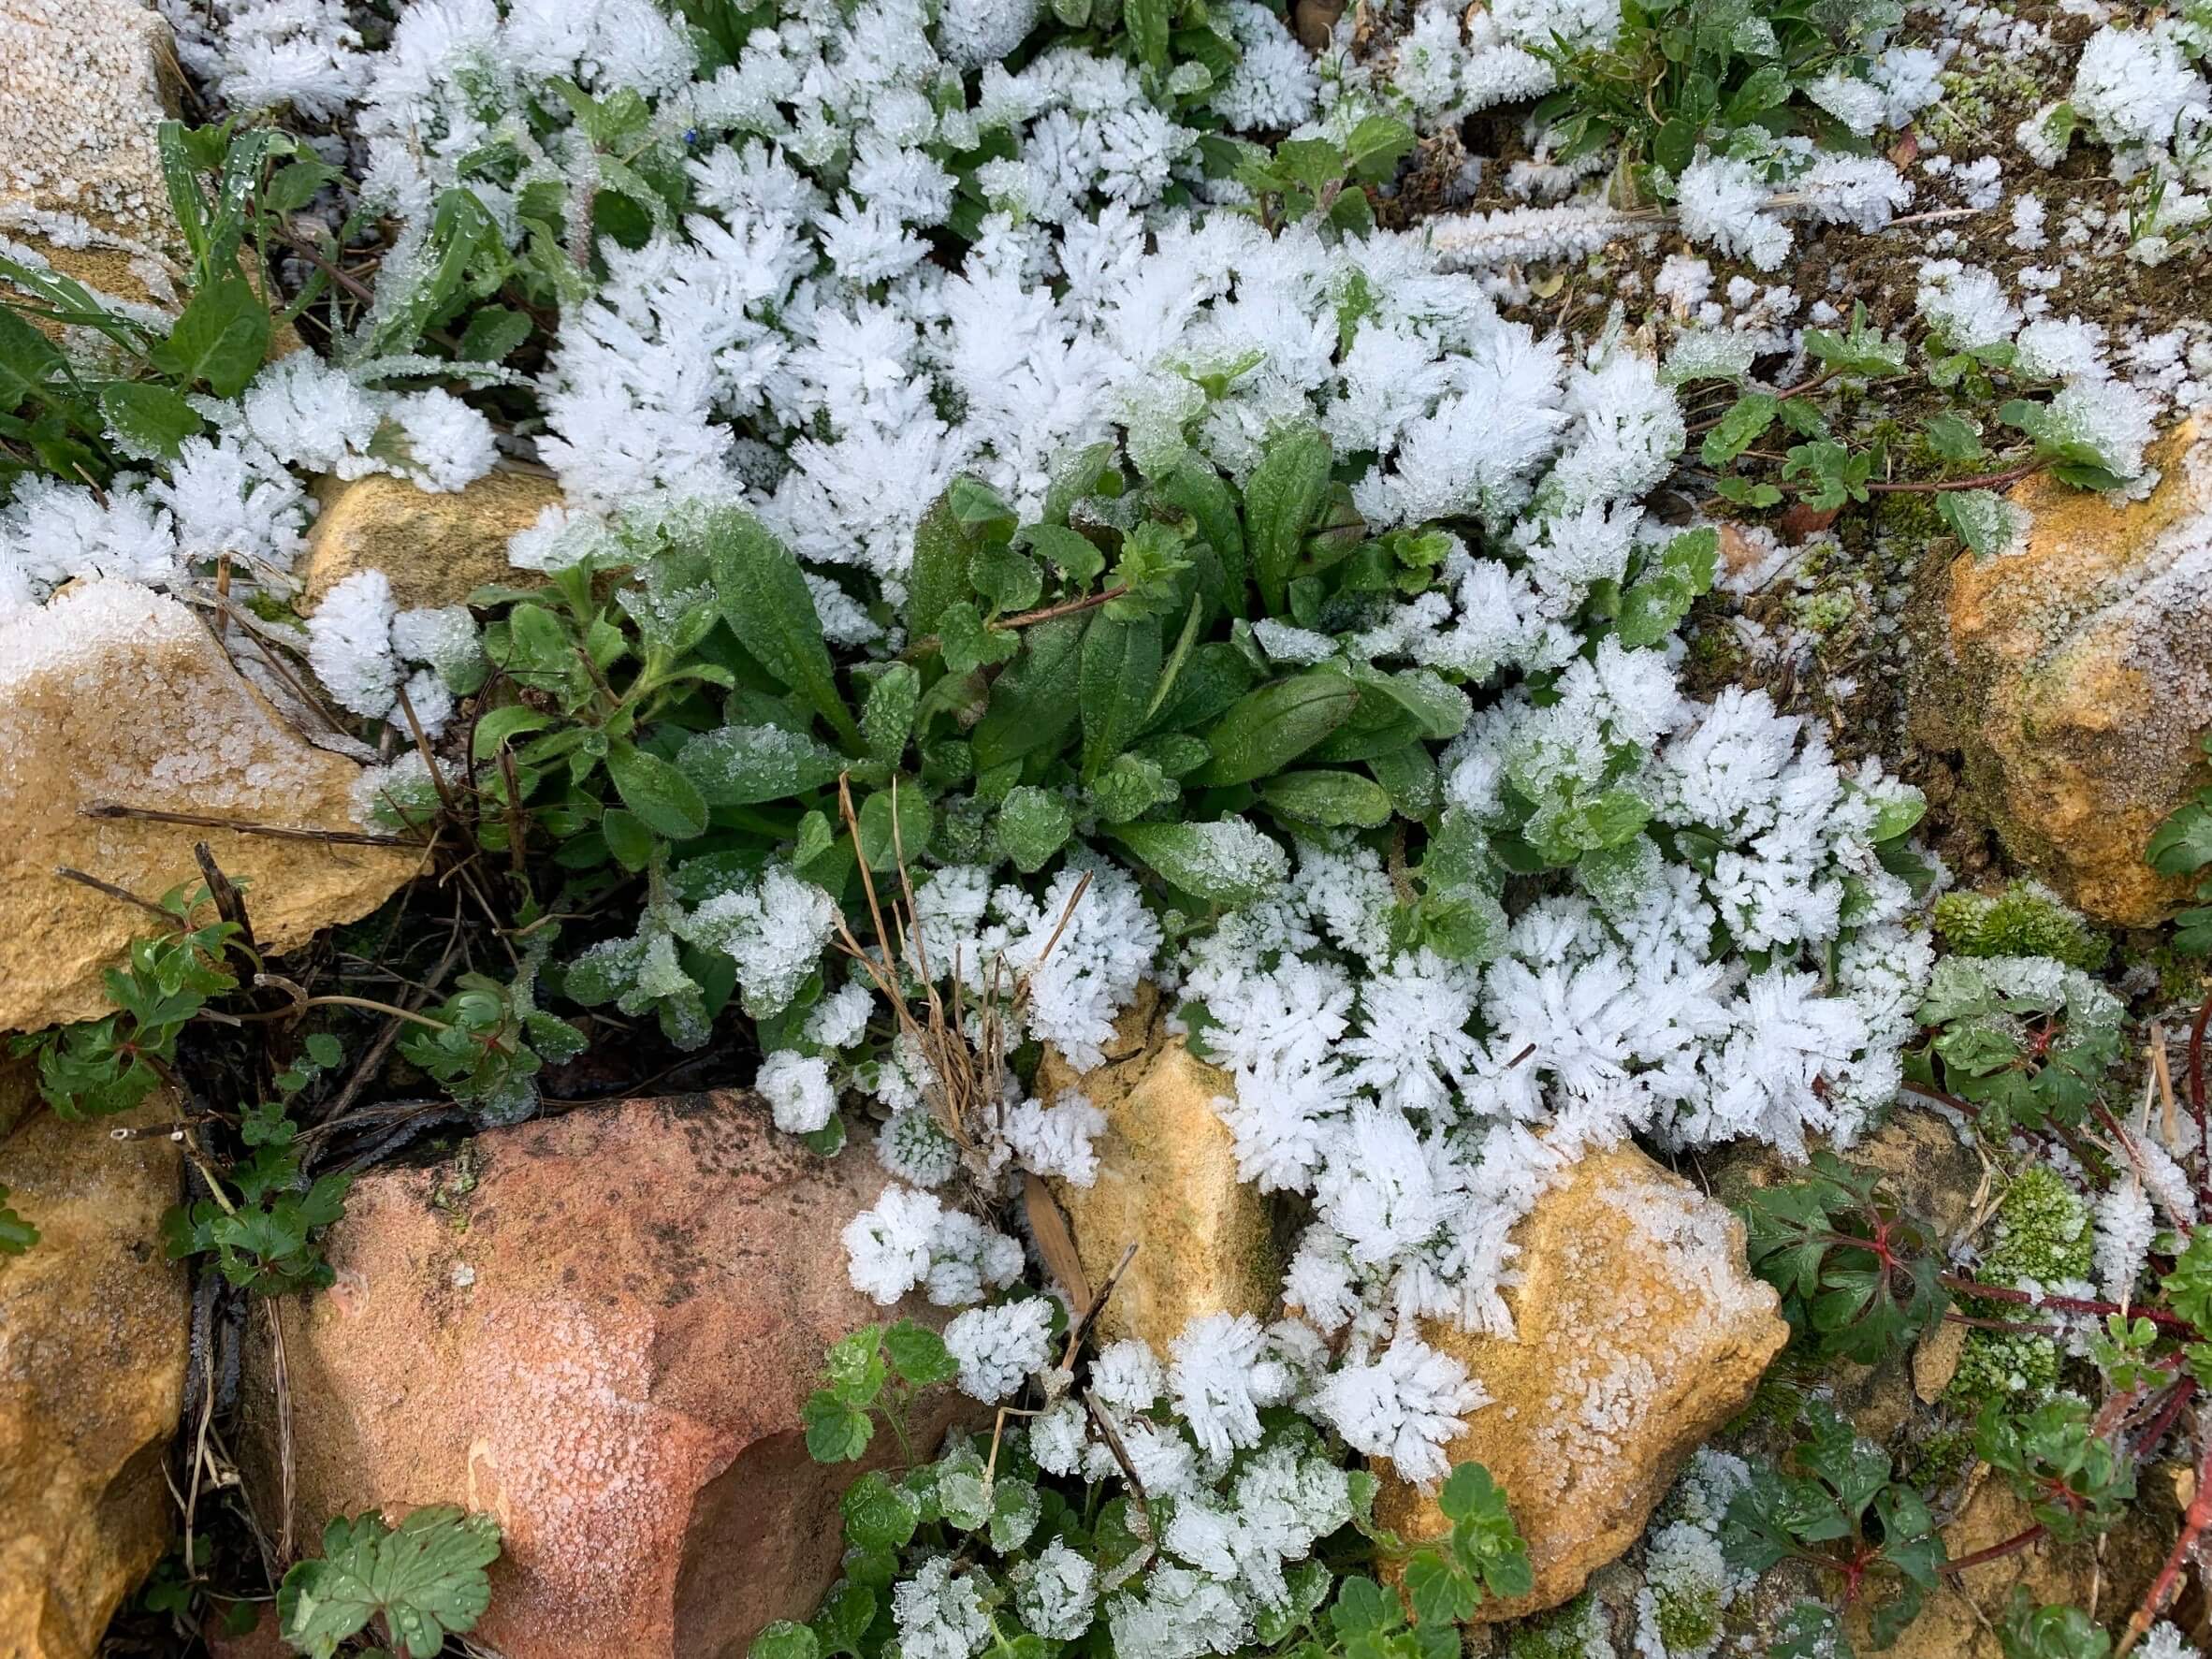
1112	1523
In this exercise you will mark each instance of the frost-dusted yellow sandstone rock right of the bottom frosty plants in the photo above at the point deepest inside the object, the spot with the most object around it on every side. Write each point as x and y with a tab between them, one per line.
1638	1333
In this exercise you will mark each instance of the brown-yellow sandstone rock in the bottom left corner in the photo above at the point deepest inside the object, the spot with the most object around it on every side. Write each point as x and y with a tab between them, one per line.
92	1377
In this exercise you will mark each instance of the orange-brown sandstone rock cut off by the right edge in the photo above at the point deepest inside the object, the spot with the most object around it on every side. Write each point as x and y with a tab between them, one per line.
2076	680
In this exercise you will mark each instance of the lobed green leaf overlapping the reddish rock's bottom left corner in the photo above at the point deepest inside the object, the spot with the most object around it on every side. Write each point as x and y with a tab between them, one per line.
424	1580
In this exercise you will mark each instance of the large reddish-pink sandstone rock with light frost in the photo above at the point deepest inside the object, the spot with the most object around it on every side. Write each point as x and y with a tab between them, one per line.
601	1328
